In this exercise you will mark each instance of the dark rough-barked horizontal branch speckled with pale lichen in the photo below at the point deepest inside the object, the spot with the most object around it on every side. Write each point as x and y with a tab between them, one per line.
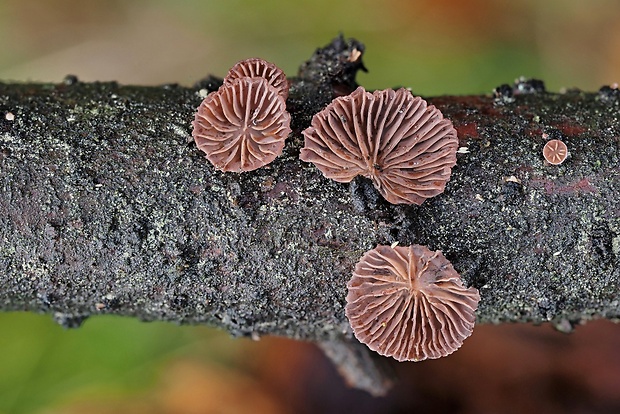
106	207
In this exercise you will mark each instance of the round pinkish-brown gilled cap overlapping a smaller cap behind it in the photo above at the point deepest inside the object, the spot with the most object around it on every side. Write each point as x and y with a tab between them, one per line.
243	125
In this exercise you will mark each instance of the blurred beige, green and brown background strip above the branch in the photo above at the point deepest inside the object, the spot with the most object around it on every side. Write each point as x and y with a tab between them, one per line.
435	47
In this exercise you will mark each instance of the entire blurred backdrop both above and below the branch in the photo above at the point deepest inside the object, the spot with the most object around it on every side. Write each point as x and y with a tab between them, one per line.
119	365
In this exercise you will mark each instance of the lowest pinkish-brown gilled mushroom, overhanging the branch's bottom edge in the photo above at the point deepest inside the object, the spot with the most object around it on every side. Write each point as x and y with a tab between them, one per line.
409	303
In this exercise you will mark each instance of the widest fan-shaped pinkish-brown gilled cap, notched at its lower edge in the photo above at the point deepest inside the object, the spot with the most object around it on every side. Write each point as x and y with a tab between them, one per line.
404	146
